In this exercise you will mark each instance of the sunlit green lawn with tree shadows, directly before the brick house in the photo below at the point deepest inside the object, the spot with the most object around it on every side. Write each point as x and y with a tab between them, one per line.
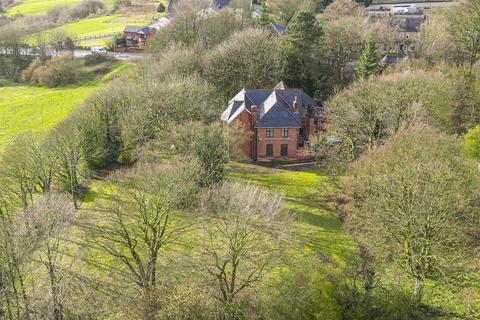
318	229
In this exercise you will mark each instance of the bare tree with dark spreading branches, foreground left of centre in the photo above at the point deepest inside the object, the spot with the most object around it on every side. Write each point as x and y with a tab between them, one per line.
138	222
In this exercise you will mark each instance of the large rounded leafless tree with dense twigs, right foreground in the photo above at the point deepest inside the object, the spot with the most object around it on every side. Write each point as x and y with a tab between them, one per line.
412	204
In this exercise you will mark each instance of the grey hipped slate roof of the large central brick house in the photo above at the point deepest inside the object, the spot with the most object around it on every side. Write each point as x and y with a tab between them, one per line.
274	107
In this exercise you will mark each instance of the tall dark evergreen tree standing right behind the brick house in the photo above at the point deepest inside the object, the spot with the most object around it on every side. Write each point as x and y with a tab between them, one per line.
298	63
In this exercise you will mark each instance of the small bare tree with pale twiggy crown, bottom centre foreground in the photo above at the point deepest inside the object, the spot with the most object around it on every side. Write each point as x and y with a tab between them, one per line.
243	235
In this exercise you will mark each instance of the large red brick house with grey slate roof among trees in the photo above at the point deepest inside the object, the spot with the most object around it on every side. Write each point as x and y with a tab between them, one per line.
280	121
